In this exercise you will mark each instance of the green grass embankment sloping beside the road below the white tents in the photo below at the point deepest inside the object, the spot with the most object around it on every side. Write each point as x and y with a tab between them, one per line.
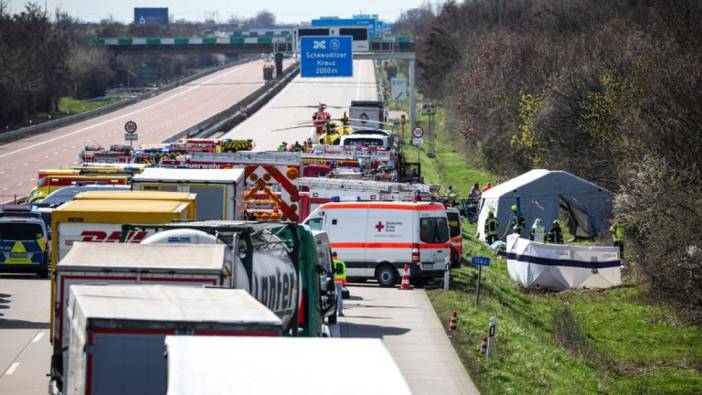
613	341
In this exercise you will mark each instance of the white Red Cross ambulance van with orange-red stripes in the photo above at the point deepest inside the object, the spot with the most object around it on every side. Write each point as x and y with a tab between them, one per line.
376	239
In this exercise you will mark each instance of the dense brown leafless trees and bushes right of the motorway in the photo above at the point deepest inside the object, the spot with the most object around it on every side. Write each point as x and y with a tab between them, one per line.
610	91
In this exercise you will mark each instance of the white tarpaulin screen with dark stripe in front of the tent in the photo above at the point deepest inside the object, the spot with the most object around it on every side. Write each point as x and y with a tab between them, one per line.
562	266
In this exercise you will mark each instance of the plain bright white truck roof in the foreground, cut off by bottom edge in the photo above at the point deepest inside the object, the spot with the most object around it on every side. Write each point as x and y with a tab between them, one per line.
285	365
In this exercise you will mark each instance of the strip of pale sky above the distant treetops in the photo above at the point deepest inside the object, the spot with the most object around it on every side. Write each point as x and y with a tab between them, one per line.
285	10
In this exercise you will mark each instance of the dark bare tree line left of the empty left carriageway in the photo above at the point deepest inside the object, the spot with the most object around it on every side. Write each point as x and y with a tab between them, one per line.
44	57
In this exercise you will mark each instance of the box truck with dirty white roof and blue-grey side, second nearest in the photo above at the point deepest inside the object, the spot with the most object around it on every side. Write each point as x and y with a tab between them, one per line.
118	332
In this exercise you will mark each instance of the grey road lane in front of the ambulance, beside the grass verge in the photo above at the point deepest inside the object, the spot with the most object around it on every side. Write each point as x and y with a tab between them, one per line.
412	333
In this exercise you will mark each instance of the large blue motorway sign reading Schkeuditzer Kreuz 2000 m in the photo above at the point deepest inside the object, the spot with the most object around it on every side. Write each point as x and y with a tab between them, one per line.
326	56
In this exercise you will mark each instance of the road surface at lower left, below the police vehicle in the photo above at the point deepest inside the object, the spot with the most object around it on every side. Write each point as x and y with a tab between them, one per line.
25	351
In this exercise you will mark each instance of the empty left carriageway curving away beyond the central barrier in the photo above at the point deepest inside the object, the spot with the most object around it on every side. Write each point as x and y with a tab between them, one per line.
157	118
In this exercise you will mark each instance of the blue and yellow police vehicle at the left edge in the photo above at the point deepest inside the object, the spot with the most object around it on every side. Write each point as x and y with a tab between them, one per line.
24	241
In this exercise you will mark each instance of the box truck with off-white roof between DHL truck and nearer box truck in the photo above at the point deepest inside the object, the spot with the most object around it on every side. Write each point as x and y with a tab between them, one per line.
125	263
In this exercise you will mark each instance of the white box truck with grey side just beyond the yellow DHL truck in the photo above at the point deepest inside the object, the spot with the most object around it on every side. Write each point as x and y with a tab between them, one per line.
219	191
